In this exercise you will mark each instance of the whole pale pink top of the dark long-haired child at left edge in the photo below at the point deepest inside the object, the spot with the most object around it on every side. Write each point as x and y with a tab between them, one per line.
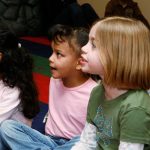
10	104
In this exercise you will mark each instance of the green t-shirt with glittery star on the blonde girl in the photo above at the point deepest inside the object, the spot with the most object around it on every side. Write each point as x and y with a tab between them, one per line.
126	118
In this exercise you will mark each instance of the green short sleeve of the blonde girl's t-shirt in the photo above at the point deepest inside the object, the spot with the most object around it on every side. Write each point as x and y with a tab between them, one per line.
135	126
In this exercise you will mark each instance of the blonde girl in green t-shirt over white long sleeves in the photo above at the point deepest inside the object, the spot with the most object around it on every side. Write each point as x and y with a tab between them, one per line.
118	115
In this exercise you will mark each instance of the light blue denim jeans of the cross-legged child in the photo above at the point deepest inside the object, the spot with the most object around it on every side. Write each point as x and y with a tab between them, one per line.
20	136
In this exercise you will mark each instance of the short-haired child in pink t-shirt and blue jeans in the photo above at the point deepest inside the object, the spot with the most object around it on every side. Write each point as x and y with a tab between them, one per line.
69	94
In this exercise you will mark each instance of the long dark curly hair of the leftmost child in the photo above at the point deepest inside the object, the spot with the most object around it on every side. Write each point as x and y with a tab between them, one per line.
16	67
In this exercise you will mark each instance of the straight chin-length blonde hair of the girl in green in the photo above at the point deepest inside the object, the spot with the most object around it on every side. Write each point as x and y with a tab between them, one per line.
124	52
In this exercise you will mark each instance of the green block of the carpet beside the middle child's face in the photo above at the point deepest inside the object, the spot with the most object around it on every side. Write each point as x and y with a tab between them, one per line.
41	65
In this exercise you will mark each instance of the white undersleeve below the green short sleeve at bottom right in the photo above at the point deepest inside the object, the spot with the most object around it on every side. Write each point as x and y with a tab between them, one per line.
132	146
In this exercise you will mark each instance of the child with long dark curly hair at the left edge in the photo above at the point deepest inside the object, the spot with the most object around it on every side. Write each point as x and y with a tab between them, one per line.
18	94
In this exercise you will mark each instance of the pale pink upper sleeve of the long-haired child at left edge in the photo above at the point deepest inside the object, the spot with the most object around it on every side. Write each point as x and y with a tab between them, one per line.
9	102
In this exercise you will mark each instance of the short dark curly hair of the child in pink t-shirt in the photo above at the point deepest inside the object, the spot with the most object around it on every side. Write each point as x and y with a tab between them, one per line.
76	37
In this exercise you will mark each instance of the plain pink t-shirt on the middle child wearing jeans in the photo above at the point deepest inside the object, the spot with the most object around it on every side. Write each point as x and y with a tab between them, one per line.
67	108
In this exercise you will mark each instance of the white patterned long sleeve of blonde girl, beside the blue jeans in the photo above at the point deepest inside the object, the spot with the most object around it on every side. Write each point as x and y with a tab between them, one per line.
87	139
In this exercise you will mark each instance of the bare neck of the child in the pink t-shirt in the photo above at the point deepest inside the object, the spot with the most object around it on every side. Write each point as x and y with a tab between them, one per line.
75	81
